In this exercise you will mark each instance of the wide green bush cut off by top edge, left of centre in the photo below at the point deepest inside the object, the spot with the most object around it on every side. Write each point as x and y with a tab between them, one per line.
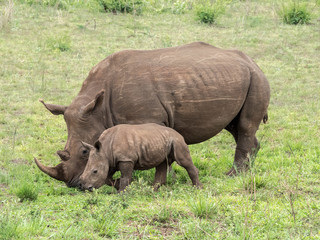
123	6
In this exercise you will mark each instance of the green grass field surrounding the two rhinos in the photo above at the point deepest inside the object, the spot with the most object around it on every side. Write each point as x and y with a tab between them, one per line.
47	53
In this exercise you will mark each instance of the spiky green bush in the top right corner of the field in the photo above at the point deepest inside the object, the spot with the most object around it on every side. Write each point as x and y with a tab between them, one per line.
295	13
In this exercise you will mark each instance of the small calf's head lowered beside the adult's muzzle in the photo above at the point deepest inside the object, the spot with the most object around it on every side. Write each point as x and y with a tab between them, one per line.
96	170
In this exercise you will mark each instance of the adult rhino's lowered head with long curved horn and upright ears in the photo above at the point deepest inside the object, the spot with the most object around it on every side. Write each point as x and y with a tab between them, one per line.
85	122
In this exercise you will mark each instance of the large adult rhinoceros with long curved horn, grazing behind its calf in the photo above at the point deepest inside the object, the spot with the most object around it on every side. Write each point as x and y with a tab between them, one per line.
197	89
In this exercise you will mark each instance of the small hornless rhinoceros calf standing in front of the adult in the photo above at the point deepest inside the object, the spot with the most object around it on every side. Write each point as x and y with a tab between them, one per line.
128	147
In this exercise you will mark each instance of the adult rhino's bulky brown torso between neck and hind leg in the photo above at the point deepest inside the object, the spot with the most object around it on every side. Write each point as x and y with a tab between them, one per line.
196	89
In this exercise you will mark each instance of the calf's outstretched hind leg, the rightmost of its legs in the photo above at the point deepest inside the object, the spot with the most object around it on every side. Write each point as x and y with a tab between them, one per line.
183	158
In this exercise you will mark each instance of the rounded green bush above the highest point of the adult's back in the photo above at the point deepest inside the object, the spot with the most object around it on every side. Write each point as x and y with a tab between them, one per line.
208	13
